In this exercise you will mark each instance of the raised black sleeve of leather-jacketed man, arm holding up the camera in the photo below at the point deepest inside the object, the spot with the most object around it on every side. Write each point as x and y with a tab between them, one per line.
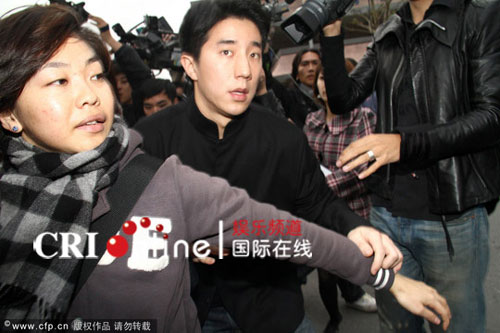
346	92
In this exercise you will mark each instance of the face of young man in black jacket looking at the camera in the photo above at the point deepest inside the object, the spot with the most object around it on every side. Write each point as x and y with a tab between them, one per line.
227	72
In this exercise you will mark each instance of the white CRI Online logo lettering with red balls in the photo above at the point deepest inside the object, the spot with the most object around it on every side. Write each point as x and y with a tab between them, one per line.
143	238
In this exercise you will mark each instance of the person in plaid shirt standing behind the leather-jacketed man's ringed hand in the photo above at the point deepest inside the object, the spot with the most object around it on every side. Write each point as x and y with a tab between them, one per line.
328	135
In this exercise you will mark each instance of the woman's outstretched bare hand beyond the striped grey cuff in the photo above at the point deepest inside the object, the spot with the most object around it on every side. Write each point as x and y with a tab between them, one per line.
421	300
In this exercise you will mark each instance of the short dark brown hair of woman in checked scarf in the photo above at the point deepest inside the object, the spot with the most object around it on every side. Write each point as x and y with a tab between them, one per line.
29	38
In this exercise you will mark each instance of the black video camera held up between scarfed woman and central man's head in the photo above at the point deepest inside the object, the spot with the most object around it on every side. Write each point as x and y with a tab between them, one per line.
150	44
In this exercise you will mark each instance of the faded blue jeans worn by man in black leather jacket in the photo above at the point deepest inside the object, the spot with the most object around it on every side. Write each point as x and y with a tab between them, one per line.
426	258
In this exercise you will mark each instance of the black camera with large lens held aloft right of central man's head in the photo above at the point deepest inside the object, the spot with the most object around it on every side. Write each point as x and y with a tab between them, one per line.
312	16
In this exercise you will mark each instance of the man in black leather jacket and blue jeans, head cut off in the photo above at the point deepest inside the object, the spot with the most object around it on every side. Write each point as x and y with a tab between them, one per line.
435	68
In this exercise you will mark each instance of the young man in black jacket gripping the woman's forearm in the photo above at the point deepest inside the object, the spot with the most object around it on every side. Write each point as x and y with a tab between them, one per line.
217	131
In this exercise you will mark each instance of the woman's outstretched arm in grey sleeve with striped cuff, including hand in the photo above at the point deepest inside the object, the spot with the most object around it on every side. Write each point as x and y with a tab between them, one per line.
208	199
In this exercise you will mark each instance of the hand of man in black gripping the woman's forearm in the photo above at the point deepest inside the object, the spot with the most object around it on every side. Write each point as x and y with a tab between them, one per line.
372	242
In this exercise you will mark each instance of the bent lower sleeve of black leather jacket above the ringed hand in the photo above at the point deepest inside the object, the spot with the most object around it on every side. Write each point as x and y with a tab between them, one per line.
479	127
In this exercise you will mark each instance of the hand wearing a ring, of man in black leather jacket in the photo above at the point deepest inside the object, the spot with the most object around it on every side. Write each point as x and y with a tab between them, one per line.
379	149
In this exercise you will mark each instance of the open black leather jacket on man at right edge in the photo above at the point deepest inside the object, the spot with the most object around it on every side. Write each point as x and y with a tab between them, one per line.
455	69
